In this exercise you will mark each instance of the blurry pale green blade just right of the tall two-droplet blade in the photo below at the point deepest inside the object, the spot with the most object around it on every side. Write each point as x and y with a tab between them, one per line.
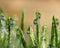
44	39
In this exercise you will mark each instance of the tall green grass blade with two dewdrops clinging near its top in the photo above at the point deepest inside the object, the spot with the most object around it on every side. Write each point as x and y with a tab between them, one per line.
37	23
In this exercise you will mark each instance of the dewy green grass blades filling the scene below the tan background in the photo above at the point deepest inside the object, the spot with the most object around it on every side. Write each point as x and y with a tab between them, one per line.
12	36
